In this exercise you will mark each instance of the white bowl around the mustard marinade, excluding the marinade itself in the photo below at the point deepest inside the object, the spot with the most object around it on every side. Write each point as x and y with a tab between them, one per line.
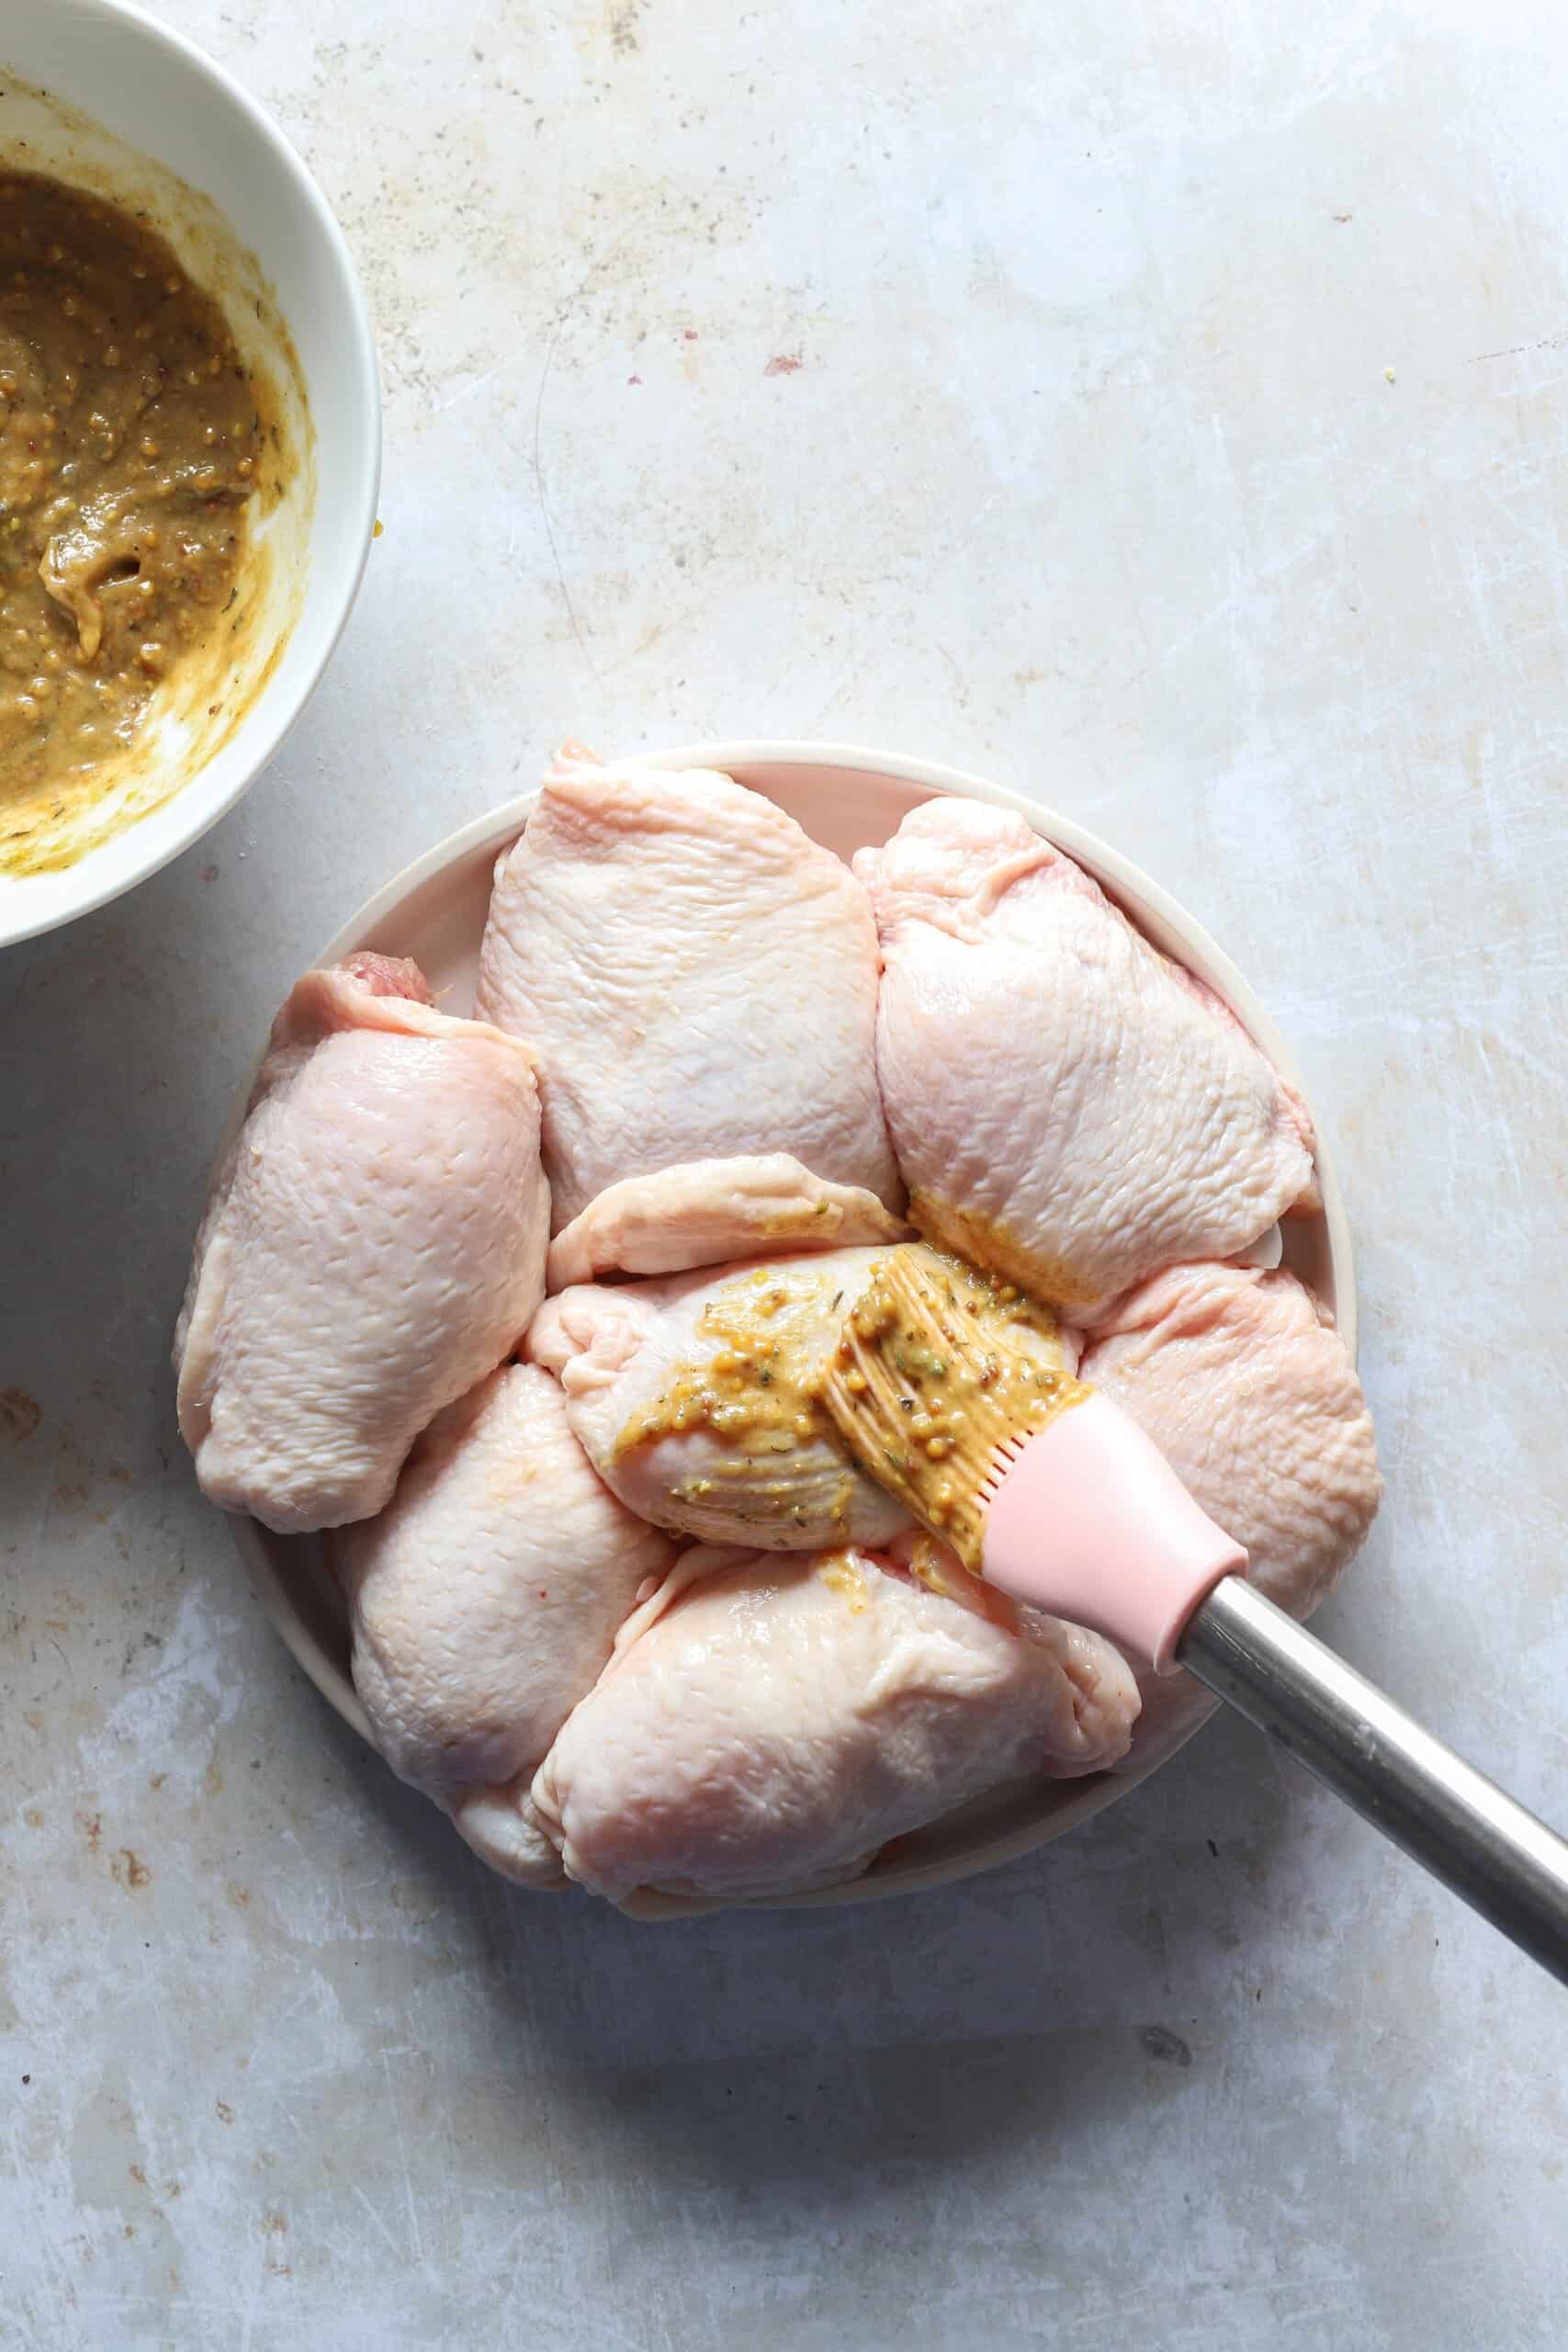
107	98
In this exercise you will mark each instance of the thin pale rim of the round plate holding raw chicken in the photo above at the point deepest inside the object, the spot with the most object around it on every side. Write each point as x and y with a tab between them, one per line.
1130	883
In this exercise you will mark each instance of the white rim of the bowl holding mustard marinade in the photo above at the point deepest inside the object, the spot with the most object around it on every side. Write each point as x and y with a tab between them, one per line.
363	497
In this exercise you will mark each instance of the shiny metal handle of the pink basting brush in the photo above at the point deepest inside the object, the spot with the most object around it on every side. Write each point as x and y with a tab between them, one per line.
1492	1852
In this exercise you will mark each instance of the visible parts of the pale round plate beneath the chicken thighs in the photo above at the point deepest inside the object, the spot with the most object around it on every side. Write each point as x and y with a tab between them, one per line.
845	799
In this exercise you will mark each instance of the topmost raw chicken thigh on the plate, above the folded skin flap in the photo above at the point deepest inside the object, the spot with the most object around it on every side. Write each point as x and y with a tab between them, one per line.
697	977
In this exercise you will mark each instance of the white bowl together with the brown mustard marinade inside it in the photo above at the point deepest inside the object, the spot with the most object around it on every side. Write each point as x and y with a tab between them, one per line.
189	450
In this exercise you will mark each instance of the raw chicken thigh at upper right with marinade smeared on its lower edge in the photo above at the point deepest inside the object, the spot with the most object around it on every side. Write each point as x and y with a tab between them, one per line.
1068	1107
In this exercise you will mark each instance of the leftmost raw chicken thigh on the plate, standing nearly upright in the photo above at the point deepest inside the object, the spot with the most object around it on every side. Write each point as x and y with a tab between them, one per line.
373	1248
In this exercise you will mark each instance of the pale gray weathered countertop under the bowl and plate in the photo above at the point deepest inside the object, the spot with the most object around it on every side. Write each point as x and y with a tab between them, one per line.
1179	434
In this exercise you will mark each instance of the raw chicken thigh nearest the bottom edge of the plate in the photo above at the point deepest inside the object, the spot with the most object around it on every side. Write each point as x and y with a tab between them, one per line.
770	1723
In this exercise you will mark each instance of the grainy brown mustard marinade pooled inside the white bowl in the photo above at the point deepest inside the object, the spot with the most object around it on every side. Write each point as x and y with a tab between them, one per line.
130	443
